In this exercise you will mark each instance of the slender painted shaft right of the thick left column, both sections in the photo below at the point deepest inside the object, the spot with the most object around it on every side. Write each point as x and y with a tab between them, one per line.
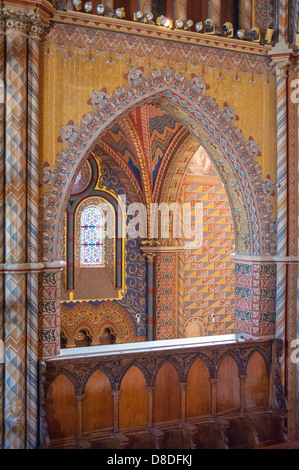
32	246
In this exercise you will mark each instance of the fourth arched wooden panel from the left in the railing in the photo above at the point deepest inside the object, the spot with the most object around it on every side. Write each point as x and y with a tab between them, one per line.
167	395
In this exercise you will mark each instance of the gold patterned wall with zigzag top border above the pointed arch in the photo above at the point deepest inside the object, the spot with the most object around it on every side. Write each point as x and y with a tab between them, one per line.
76	60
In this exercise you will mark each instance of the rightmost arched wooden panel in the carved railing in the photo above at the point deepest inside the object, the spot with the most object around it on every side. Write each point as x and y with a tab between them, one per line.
257	382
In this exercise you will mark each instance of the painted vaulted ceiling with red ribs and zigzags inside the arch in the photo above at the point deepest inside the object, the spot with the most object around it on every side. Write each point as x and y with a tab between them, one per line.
144	140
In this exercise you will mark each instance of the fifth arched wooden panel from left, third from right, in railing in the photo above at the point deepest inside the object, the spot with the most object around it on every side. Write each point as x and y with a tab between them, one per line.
198	395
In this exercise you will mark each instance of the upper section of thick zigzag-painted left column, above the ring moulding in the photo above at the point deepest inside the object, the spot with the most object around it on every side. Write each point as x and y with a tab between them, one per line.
15	190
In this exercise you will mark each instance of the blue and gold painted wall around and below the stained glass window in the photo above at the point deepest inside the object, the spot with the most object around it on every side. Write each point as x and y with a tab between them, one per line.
133	299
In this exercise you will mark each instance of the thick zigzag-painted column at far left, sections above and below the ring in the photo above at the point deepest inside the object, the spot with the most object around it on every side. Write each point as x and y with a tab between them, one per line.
15	224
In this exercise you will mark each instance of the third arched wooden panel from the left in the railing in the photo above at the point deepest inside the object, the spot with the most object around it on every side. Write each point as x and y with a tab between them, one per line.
133	400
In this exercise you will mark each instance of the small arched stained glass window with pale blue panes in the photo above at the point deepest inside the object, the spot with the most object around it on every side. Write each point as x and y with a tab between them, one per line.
92	243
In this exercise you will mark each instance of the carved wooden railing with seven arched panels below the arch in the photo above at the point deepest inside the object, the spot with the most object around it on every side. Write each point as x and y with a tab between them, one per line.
225	395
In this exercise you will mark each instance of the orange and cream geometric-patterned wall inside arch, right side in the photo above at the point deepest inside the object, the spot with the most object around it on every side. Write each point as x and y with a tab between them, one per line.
209	270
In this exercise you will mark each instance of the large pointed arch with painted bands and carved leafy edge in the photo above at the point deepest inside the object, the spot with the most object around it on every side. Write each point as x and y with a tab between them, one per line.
213	126
